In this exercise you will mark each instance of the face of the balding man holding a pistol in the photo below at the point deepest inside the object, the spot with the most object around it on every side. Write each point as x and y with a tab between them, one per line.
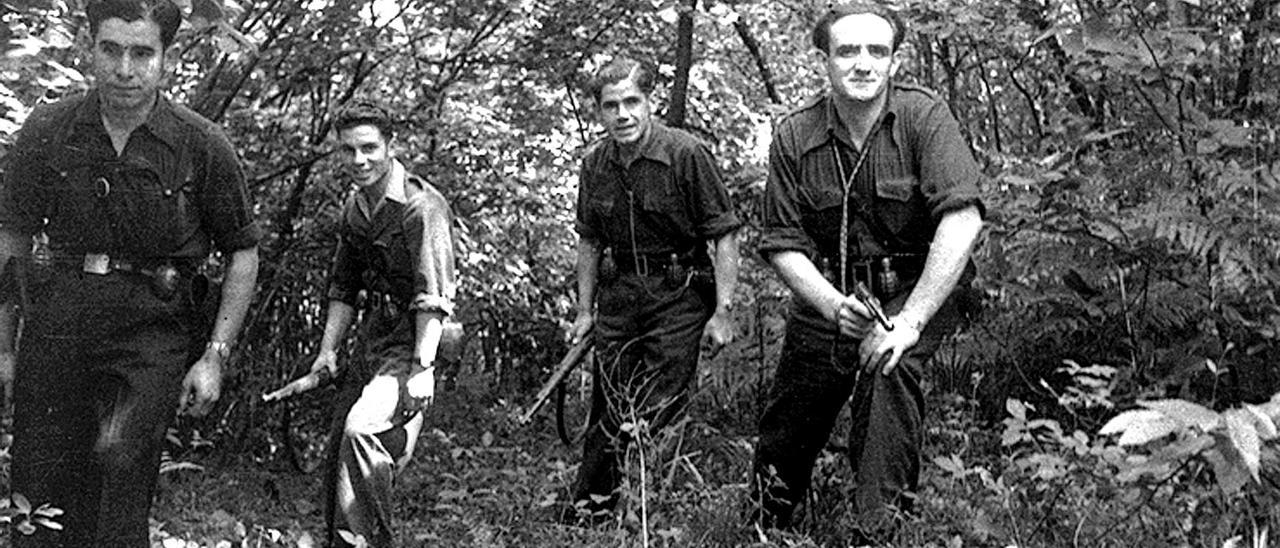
861	60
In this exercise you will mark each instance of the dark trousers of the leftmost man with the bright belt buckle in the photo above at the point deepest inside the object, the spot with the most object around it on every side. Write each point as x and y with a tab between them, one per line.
99	375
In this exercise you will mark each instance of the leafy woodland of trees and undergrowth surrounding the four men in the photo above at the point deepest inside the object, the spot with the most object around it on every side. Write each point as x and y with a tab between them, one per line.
1130	263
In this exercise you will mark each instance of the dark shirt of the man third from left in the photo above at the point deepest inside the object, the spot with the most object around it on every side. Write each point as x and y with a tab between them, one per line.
669	200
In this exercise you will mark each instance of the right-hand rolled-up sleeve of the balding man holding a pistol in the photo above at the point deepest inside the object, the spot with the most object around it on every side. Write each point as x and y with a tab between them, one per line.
949	173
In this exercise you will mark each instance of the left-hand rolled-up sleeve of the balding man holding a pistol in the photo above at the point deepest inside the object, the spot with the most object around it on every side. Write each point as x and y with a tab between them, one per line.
781	229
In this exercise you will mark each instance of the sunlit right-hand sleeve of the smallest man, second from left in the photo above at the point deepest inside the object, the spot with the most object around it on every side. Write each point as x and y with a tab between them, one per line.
431	225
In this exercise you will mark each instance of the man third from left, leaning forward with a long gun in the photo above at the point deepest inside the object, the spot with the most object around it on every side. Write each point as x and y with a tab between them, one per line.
657	266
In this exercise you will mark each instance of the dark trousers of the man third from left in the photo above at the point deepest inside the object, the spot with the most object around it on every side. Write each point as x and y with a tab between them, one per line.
648	336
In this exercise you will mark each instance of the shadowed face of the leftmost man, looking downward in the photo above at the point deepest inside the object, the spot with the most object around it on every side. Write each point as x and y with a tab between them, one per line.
129	62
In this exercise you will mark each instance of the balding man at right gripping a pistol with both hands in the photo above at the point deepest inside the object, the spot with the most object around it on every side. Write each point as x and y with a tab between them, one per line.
870	185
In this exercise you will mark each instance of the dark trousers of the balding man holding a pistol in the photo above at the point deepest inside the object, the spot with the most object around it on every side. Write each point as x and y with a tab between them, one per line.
815	380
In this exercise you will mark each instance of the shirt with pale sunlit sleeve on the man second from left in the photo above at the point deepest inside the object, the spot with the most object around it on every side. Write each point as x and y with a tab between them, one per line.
400	245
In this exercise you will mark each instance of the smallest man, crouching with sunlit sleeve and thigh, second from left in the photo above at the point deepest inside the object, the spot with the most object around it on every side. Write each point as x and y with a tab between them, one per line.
396	245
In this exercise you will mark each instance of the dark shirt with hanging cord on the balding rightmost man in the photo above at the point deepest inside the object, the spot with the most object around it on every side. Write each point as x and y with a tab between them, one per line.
917	170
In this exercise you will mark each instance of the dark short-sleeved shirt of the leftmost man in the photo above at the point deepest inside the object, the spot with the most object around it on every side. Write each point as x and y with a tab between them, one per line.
176	188
